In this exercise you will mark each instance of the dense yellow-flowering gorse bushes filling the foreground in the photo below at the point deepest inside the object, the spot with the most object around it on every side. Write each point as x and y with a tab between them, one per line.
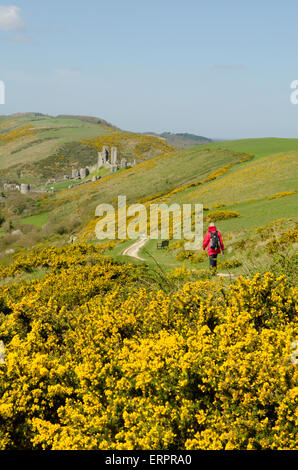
95	360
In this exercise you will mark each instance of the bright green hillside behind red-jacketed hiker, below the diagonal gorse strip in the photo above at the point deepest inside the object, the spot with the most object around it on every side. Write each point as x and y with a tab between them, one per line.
259	191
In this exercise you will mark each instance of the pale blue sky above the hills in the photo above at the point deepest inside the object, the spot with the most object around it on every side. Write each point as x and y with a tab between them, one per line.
222	69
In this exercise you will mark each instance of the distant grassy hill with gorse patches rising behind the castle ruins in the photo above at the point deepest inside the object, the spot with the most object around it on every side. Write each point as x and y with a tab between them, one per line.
35	147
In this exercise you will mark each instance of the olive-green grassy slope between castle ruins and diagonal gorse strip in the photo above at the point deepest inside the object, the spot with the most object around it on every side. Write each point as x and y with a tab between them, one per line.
148	181
